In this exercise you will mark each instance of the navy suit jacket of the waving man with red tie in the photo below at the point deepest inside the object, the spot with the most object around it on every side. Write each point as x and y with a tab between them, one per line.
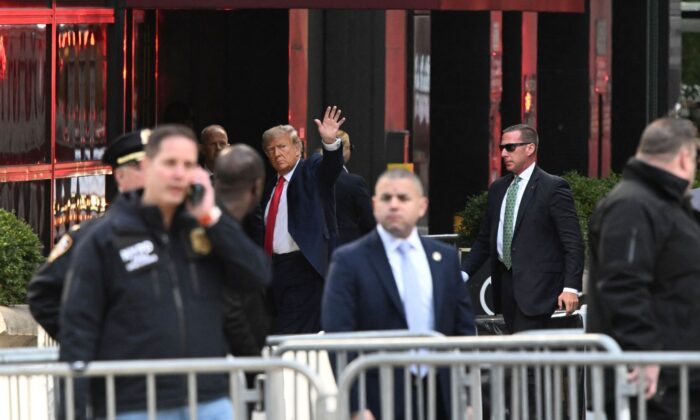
308	199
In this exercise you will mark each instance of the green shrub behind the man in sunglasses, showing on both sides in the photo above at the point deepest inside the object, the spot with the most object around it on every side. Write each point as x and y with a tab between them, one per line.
586	191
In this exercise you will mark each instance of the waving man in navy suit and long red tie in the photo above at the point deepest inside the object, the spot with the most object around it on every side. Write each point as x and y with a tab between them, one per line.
296	221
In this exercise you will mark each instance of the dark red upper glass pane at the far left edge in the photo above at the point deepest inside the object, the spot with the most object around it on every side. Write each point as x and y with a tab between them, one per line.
25	94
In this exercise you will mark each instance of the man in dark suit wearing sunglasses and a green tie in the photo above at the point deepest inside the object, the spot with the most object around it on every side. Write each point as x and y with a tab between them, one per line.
532	235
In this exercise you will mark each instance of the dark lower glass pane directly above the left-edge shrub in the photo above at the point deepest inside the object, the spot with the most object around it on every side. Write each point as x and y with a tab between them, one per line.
30	201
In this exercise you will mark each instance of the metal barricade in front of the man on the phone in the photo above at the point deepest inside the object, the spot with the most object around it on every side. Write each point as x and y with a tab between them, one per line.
189	368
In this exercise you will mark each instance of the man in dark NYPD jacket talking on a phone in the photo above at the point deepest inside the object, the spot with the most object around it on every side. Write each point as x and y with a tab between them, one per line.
146	283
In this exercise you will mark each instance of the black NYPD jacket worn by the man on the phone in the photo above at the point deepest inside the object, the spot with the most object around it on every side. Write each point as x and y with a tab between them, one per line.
138	291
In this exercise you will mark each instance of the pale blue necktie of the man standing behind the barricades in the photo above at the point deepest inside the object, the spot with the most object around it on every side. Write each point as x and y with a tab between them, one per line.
417	311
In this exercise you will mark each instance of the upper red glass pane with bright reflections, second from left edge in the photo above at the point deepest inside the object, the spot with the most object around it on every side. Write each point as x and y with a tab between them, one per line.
81	86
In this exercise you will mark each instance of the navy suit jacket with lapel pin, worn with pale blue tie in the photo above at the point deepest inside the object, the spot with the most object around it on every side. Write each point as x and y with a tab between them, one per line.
361	295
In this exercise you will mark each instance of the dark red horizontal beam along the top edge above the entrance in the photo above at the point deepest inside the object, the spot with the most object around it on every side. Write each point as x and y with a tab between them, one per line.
571	6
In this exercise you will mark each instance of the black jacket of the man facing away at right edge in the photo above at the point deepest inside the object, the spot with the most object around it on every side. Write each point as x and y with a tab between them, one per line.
644	263
